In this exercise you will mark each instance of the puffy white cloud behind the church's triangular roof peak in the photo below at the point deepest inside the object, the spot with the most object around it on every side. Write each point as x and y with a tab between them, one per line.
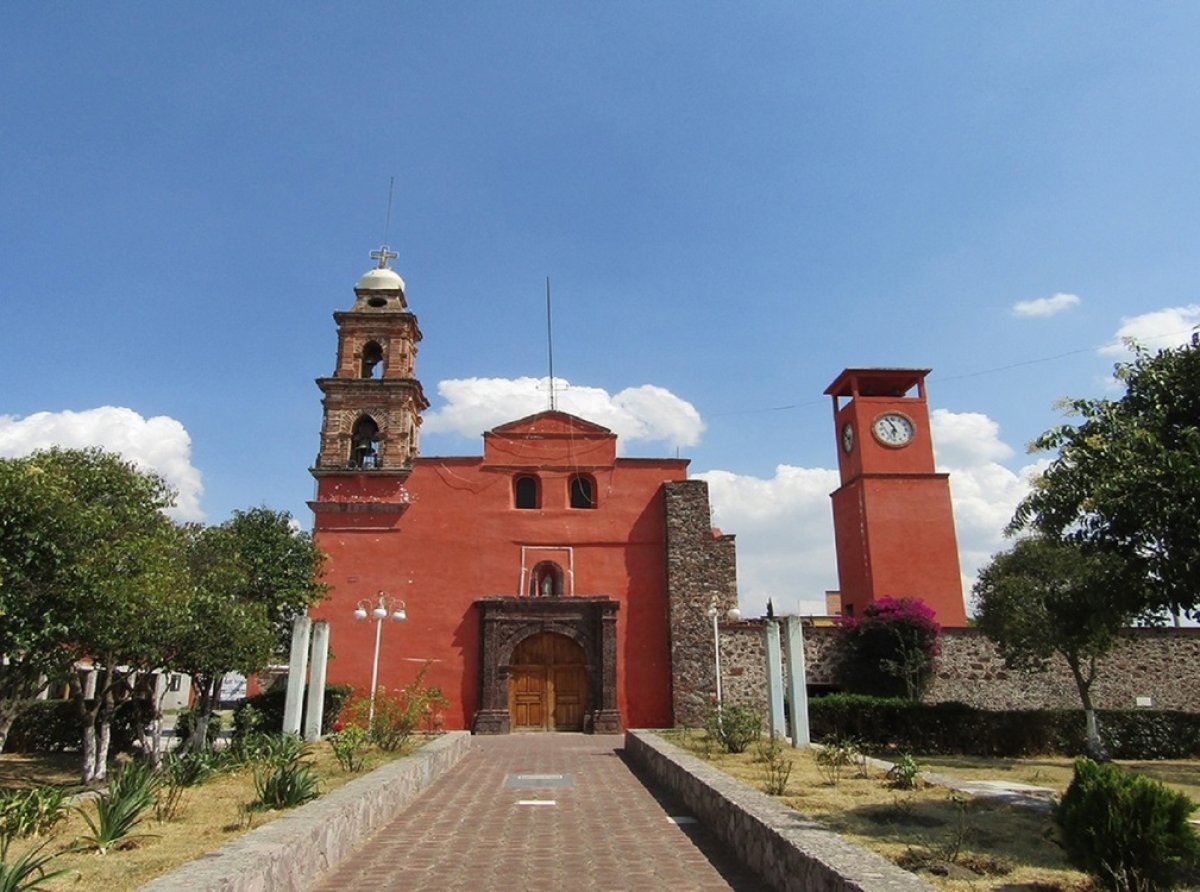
645	414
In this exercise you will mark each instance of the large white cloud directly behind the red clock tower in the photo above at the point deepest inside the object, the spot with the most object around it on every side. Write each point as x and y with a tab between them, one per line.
784	525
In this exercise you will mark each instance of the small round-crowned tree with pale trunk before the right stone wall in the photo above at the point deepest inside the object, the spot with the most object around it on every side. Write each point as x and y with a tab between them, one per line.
1045	598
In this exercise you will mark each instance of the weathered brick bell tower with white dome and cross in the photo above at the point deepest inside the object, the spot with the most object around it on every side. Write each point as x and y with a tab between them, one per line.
373	404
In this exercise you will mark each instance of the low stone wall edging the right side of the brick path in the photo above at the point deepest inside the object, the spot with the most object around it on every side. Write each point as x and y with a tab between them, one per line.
788	851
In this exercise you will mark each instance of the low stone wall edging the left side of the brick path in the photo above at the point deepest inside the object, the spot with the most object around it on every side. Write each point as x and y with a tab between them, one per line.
293	852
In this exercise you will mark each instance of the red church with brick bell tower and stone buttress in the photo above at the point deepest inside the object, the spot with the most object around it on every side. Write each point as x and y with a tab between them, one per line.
548	584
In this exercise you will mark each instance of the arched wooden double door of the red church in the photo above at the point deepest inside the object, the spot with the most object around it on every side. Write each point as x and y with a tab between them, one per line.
548	685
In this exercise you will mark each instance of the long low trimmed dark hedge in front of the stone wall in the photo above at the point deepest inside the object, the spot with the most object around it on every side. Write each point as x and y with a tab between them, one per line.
952	728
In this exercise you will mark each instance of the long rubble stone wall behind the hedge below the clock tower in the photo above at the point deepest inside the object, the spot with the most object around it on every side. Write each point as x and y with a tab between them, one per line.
1160	664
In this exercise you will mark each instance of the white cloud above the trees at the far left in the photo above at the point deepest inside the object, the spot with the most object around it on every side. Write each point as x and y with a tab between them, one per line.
160	445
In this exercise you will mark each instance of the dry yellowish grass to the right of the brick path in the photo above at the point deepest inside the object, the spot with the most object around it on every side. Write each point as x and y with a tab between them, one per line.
952	841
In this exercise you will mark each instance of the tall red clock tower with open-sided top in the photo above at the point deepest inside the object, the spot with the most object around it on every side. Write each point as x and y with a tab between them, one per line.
893	522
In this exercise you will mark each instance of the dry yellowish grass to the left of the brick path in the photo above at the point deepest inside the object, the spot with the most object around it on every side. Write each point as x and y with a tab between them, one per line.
211	816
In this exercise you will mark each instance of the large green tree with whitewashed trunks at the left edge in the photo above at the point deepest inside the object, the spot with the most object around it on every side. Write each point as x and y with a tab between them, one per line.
89	568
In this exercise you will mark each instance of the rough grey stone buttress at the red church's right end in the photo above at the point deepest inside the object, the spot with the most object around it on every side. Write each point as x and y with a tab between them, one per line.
701	574
